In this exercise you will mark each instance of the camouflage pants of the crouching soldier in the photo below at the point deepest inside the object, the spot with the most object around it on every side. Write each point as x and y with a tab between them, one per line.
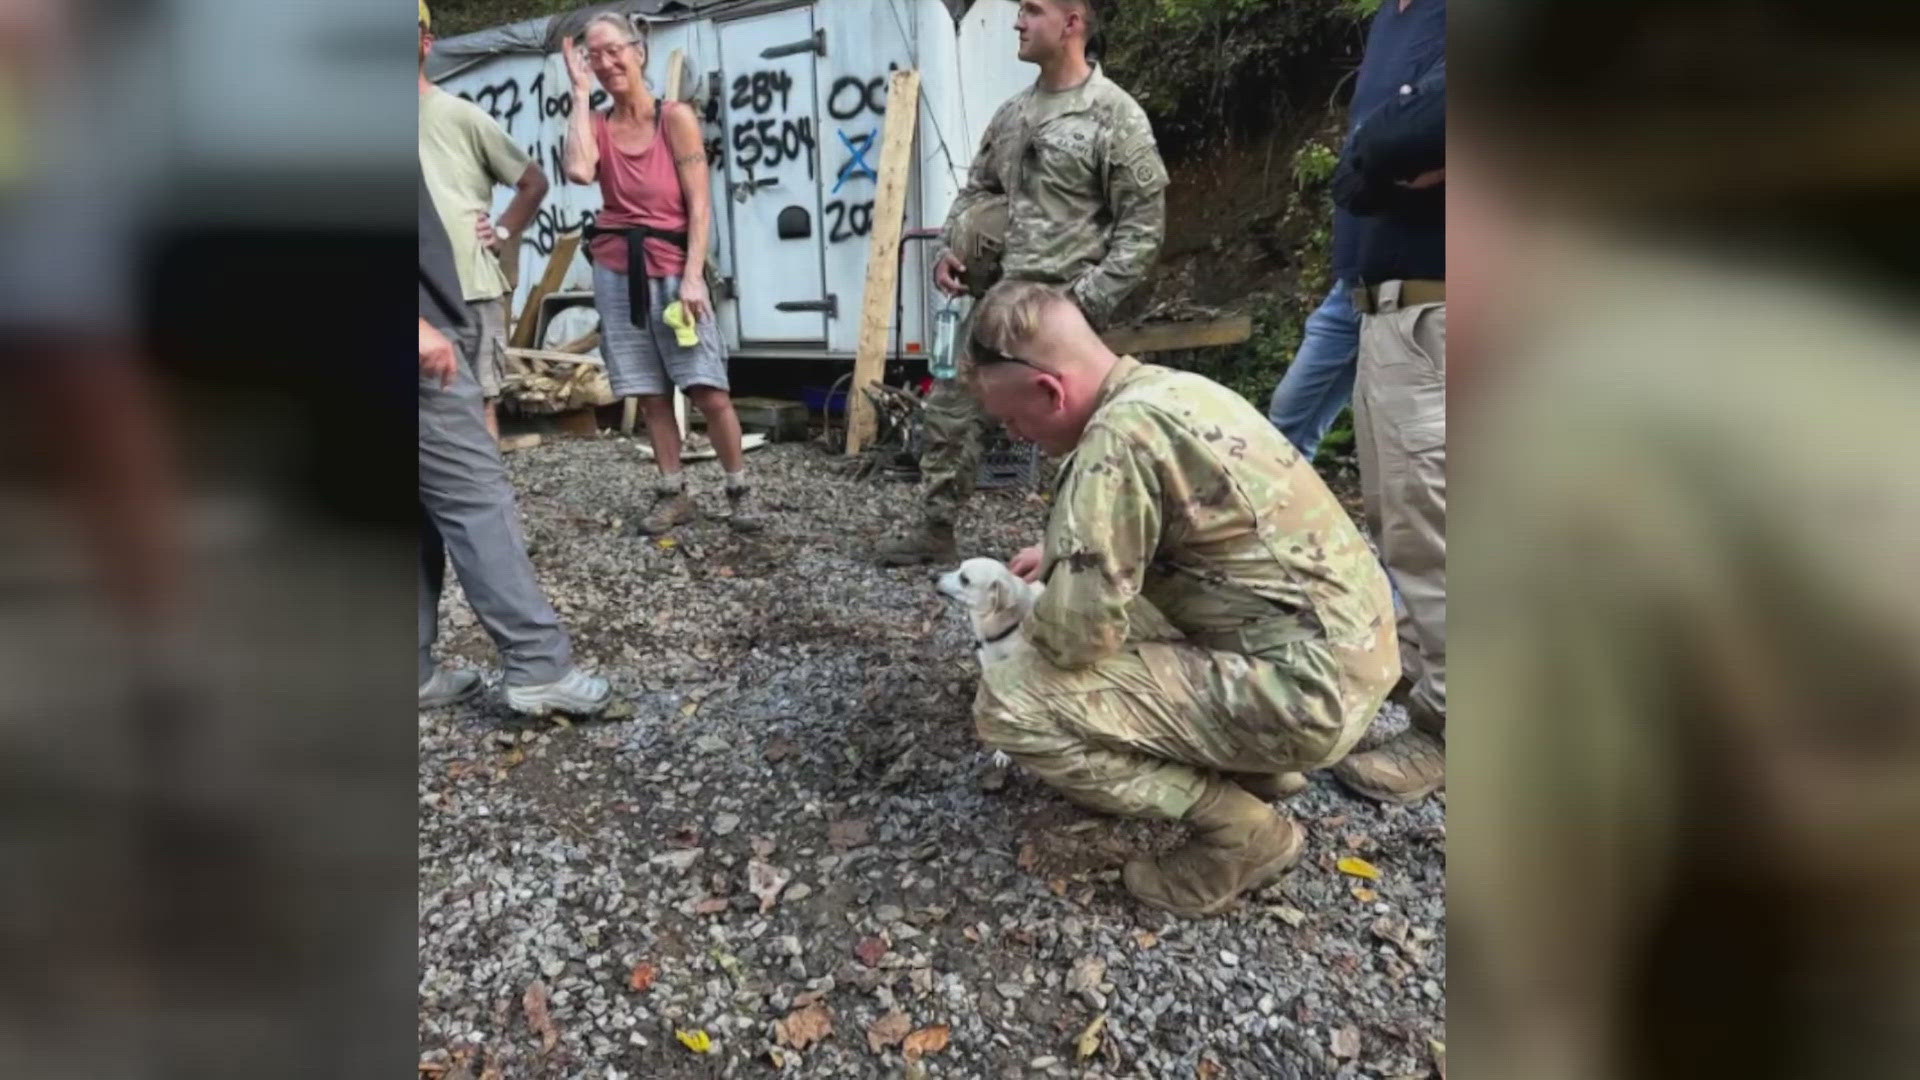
1141	731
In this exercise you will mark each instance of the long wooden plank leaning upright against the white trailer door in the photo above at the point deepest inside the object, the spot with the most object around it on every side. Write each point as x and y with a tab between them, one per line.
884	253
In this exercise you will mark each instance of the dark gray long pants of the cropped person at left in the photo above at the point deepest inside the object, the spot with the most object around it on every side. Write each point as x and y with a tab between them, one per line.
468	514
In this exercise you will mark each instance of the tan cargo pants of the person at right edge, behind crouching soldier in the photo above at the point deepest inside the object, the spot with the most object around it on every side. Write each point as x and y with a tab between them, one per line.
1401	437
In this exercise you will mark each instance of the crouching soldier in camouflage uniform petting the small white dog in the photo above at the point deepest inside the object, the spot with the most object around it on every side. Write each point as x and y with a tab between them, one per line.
1180	495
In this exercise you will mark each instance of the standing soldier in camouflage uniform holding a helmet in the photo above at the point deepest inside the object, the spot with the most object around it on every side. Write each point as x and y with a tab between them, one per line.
1067	189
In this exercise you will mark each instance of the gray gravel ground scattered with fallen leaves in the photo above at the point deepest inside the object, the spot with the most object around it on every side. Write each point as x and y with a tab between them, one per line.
802	724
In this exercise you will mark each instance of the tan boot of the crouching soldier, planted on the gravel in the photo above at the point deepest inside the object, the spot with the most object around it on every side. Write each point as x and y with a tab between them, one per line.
1239	843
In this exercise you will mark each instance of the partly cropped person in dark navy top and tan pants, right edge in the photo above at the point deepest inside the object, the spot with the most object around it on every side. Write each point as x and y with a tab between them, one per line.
1393	174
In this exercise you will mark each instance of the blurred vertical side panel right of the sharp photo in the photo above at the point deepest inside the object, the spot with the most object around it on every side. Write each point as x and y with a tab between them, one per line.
1685	633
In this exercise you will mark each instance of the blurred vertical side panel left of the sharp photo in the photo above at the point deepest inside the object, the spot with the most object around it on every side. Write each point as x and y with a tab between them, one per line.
206	539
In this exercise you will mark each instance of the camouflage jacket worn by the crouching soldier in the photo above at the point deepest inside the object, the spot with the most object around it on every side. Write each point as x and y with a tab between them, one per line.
1184	495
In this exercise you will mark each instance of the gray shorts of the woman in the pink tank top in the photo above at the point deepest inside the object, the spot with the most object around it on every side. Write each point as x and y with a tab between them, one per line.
650	360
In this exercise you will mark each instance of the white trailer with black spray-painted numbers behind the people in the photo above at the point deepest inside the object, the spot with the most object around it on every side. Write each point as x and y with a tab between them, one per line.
792	97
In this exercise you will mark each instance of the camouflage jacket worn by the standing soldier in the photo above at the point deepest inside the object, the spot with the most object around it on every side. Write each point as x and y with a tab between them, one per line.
1086	191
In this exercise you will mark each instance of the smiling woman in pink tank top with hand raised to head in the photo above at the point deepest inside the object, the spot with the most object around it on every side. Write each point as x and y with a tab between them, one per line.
650	162
